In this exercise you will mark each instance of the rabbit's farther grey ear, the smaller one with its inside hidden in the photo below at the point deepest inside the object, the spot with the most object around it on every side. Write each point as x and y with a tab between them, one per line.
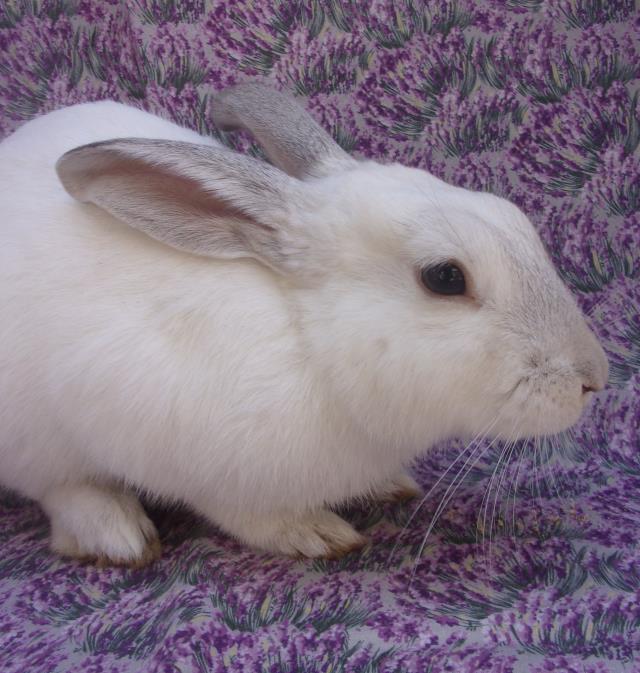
292	140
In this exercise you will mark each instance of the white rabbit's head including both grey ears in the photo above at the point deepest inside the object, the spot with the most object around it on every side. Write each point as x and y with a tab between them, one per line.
427	310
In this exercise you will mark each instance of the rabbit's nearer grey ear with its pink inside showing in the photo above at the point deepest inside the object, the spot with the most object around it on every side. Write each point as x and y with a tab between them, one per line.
207	200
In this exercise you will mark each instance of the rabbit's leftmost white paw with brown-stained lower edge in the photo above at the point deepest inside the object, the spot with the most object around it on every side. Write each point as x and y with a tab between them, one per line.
100	525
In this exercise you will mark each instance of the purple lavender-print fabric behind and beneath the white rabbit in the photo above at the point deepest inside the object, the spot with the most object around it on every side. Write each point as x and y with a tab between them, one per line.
534	564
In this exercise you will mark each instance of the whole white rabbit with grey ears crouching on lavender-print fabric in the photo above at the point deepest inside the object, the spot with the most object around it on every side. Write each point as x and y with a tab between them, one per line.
261	341
